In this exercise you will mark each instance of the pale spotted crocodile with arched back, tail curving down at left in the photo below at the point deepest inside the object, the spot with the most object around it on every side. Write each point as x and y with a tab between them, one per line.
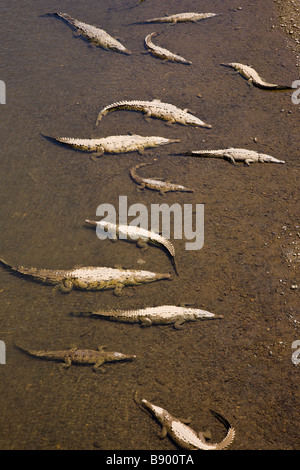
156	109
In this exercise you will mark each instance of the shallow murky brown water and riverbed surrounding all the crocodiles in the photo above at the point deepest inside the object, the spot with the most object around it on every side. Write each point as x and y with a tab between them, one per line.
240	366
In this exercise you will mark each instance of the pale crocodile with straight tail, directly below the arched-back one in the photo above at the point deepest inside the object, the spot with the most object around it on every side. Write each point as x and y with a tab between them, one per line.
114	144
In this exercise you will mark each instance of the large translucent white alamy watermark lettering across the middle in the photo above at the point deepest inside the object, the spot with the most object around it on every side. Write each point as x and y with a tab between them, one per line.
188	220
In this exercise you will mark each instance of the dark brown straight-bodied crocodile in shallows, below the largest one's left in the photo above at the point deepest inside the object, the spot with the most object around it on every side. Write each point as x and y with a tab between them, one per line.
81	356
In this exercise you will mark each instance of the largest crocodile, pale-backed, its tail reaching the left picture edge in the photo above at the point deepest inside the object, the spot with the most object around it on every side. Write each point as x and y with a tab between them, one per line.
89	278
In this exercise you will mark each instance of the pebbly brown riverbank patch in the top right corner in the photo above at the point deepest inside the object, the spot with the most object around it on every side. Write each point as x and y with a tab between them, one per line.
289	20
